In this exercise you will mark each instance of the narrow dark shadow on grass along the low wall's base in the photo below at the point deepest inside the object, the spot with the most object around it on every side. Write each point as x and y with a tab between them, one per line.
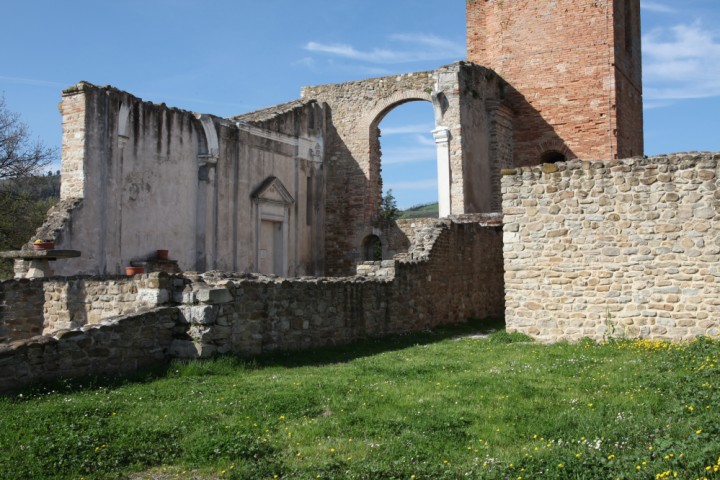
298	358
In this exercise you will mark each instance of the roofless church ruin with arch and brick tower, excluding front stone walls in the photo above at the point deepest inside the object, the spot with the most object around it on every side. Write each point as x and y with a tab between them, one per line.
294	190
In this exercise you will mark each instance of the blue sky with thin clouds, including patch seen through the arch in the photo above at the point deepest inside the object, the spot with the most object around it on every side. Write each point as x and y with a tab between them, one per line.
228	57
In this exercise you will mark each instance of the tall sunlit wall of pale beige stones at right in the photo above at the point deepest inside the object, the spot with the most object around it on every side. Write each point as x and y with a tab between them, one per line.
621	248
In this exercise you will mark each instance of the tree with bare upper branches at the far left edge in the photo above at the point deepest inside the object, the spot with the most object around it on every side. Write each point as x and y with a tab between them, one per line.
25	192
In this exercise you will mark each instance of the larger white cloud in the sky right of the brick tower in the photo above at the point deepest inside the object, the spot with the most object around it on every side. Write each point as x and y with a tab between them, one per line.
681	62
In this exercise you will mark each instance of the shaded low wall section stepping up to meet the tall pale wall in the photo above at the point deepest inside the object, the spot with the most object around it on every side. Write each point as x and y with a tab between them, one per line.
454	275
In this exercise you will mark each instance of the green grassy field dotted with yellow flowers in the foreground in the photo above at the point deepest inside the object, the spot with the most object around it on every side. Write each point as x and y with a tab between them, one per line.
437	405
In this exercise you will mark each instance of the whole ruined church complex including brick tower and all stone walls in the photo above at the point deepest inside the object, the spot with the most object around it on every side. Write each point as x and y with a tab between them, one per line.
550	215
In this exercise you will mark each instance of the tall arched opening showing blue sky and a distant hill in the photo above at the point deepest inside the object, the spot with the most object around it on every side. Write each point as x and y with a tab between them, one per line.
408	158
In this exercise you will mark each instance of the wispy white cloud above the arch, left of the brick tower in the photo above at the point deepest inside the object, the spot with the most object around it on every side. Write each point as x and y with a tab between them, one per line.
423	48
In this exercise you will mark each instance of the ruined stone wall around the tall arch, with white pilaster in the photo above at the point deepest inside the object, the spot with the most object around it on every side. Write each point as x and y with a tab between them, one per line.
472	136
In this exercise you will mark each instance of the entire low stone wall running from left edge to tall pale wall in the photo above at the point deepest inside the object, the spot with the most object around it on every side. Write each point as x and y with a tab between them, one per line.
453	272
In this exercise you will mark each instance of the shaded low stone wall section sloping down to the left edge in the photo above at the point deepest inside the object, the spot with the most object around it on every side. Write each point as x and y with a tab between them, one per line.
120	345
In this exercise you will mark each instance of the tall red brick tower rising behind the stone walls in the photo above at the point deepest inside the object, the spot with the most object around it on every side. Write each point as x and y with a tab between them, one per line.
574	74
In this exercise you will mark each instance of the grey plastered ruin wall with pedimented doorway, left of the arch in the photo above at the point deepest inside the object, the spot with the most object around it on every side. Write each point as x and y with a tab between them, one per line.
138	177
